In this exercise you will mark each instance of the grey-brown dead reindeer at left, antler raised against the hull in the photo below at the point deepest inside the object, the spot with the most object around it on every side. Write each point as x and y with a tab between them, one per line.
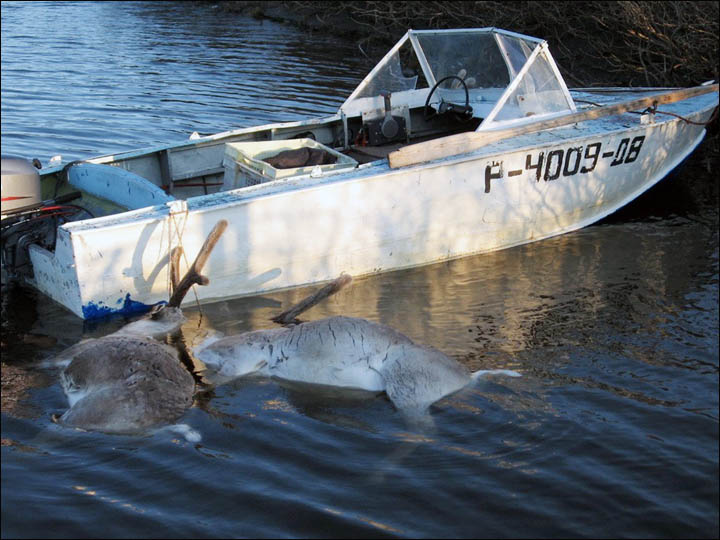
127	382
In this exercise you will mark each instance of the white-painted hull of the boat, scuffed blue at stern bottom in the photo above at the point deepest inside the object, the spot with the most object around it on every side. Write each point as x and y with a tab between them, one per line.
373	219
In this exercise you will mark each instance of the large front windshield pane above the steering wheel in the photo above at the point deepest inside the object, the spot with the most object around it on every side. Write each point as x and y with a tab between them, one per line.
473	56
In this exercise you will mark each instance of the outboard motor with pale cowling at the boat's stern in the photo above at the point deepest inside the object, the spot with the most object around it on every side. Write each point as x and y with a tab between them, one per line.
27	219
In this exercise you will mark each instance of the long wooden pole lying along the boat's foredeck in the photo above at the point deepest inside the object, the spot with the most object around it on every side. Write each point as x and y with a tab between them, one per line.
468	142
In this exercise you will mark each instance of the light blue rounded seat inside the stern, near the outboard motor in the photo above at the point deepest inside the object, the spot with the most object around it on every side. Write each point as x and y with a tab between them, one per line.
117	185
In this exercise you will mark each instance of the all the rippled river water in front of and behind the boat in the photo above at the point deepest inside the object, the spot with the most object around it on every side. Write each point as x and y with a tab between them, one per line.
611	432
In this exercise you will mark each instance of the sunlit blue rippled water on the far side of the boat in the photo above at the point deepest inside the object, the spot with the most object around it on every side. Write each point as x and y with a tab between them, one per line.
144	74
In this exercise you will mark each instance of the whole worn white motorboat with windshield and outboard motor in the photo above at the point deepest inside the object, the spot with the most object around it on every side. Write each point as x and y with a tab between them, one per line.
458	142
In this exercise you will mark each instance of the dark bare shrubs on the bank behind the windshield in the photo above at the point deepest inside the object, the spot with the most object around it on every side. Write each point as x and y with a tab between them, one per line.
623	43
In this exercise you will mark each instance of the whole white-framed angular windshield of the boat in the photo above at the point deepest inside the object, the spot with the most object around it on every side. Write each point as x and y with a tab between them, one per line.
510	78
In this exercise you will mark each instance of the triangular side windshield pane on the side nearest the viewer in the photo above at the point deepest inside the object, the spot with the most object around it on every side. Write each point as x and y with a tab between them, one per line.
539	92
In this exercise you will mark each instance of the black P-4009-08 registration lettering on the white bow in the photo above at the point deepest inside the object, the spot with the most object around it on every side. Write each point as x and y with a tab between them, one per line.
568	162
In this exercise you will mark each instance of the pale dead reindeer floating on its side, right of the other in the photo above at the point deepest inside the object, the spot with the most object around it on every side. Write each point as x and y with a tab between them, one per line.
344	352
